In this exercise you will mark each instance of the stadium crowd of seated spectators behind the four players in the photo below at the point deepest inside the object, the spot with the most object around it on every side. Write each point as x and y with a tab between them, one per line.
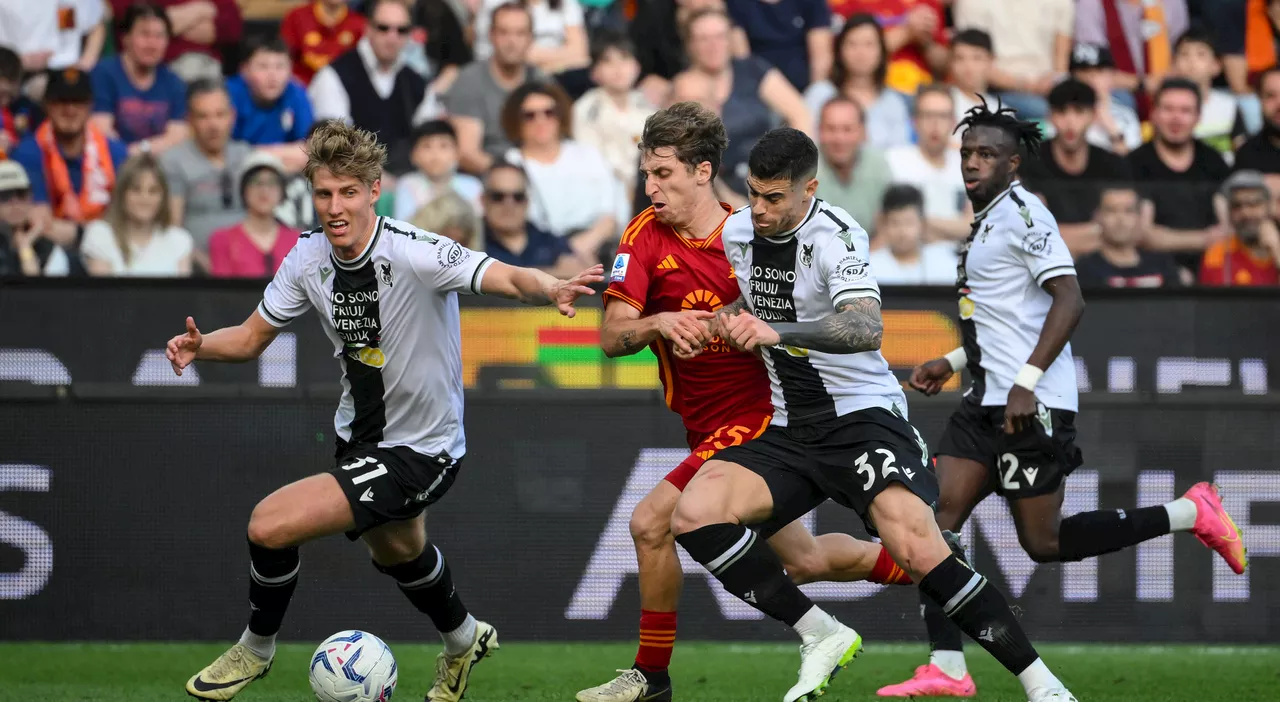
164	139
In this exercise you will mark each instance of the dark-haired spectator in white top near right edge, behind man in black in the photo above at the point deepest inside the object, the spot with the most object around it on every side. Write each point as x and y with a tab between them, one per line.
1222	125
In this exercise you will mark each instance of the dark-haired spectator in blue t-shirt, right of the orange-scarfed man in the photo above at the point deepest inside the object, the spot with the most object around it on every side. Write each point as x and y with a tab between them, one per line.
135	95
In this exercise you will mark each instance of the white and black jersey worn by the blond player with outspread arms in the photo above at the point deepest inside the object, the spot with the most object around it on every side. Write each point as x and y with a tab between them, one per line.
392	314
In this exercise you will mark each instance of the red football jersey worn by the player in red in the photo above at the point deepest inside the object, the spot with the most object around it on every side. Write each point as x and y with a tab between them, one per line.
659	271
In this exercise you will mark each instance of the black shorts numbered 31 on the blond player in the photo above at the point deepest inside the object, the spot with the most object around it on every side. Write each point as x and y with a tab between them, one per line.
392	484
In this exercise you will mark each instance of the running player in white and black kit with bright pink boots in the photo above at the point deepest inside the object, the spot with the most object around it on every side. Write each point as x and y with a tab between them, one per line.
1014	434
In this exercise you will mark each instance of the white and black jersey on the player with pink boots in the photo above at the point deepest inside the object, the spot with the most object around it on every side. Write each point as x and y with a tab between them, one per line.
1013	249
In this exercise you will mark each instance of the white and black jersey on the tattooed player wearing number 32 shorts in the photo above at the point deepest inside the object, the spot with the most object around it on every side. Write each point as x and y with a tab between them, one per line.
799	277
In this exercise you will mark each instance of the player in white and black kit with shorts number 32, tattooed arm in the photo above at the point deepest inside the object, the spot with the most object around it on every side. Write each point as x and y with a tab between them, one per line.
811	307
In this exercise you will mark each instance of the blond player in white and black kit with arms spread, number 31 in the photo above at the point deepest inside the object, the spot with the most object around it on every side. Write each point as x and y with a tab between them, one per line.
387	297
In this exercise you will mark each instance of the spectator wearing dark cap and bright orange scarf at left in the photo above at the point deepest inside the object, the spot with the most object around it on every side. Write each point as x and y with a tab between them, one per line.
71	162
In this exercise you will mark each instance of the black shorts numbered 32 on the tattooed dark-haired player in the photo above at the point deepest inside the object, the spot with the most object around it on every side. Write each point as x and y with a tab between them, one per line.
849	459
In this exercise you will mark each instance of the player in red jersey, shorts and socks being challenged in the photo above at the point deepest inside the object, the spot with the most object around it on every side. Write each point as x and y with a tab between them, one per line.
671	275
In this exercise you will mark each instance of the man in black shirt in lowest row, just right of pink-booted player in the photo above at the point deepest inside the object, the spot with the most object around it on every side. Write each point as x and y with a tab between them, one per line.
1118	263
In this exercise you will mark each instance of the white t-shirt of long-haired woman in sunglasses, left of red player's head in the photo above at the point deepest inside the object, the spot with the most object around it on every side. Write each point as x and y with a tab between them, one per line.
572	193
